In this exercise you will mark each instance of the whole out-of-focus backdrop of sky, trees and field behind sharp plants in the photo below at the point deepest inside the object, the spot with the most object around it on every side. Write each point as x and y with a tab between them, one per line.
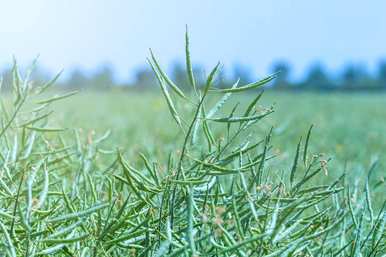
331	54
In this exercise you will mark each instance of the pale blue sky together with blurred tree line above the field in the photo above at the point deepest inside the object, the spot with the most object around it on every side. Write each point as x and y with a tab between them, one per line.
317	45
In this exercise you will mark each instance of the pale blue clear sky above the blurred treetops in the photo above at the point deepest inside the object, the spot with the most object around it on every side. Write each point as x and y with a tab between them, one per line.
88	33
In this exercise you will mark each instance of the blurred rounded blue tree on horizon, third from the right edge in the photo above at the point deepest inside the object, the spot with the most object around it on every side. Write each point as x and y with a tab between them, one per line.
317	78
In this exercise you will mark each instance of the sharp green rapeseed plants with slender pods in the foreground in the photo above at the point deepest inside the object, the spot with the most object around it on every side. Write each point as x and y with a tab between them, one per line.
214	196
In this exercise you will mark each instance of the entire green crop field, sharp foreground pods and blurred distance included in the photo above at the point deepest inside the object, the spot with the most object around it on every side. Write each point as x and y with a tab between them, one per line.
199	172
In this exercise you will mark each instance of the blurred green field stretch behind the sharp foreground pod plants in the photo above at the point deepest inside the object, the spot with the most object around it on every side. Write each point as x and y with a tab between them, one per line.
349	128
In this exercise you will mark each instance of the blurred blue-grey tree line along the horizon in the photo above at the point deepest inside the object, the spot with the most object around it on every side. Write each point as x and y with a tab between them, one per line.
352	77
